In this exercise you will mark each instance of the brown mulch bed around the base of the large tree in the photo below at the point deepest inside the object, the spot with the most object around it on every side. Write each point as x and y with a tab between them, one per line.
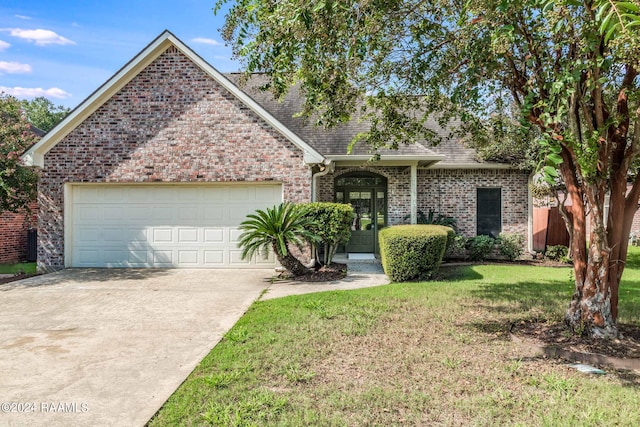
555	340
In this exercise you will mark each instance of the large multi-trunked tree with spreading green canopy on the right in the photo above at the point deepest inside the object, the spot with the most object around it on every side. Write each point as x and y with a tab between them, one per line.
569	67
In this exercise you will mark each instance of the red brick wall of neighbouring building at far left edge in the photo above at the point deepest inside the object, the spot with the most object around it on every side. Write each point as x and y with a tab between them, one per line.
13	234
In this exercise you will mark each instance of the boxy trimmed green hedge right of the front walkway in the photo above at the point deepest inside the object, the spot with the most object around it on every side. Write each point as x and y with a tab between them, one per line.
413	252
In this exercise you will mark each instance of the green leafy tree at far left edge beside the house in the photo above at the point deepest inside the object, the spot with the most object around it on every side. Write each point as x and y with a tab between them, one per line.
18	183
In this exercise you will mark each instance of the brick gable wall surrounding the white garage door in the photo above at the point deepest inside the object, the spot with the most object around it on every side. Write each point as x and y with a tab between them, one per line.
171	123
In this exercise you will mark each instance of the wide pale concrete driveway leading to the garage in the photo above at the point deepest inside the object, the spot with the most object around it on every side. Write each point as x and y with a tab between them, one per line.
107	347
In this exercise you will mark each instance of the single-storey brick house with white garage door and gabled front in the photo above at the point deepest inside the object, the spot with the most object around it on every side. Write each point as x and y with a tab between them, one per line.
158	167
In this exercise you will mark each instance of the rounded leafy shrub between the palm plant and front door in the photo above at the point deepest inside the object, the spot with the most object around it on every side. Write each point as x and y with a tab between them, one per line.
331	222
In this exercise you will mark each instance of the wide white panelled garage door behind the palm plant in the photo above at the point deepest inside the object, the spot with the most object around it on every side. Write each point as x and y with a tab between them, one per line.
142	225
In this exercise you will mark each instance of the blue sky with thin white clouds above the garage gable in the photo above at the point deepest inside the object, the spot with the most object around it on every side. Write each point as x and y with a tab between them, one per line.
64	50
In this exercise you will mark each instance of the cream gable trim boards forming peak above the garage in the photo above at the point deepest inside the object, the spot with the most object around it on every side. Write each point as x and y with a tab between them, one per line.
35	154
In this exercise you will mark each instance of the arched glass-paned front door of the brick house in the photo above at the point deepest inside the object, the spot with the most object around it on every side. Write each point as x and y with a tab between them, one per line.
367	193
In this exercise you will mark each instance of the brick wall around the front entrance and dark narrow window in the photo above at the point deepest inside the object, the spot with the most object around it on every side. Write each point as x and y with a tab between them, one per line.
449	192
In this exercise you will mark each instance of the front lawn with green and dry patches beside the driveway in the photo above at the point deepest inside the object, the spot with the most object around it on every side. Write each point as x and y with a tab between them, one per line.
432	353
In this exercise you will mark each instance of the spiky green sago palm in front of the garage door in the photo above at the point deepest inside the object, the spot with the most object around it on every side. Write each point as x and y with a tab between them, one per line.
276	229
